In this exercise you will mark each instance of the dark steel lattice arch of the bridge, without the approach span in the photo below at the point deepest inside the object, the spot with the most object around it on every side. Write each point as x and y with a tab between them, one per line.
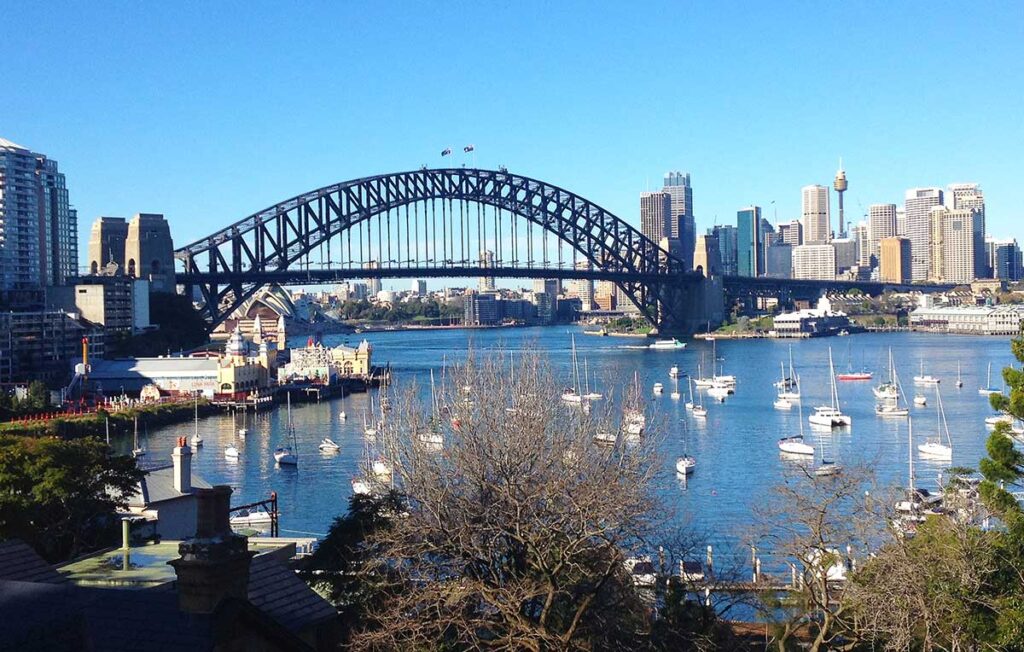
270	246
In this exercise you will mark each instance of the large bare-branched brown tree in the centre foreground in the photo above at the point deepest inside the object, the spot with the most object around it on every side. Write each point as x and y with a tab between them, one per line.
517	528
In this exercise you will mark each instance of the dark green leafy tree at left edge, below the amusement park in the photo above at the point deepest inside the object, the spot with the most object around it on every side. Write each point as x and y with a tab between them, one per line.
61	497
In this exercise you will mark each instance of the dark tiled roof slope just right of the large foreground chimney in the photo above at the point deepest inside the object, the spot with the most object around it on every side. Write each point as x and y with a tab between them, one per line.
277	591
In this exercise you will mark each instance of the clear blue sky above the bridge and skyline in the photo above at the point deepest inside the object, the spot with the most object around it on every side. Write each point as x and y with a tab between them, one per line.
209	112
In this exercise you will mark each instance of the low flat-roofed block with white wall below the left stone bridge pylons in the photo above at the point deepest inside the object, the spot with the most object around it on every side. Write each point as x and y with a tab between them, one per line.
118	303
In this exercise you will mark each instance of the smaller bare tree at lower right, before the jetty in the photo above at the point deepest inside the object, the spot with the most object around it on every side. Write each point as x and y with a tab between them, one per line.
808	521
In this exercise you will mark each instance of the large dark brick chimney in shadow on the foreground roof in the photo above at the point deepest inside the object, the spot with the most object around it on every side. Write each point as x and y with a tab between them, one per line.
215	564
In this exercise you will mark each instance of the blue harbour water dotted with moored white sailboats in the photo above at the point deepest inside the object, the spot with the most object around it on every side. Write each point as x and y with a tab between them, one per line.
738	458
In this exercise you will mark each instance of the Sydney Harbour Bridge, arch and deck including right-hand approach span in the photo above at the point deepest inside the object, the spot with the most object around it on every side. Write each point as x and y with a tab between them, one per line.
436	224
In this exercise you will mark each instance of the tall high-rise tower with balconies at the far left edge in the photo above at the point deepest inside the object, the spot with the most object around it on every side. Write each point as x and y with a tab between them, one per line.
39	244
